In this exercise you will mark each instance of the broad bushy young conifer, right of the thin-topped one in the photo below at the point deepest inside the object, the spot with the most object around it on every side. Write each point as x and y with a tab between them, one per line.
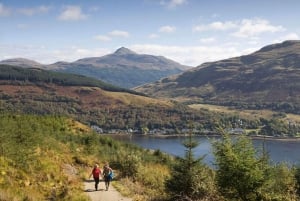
240	173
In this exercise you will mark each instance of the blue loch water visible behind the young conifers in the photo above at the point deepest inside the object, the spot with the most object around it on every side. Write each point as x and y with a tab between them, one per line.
279	150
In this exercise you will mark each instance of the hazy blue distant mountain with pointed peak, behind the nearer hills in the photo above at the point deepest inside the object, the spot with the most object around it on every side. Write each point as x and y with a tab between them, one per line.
123	68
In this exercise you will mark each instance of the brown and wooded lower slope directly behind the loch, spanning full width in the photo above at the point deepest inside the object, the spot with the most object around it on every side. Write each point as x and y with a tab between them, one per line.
114	110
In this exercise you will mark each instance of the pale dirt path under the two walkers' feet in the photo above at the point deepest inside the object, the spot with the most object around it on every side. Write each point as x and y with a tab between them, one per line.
102	195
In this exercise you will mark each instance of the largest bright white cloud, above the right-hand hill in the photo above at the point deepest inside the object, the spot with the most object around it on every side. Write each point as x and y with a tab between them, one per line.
254	27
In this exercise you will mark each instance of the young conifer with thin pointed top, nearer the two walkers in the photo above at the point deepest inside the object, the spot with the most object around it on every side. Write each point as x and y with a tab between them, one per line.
190	178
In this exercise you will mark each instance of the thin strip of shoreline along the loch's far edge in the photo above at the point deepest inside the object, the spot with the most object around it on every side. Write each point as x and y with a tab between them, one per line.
259	137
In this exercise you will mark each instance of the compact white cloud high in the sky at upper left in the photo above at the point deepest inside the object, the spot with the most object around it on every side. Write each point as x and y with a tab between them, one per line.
72	13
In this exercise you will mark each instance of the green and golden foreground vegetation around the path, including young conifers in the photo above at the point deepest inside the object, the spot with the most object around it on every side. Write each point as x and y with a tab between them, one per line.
48	157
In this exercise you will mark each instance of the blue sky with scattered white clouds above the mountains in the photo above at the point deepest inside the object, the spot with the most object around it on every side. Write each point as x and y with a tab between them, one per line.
188	31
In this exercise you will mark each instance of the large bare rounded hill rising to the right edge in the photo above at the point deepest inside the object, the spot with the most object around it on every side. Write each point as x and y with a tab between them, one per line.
268	78
